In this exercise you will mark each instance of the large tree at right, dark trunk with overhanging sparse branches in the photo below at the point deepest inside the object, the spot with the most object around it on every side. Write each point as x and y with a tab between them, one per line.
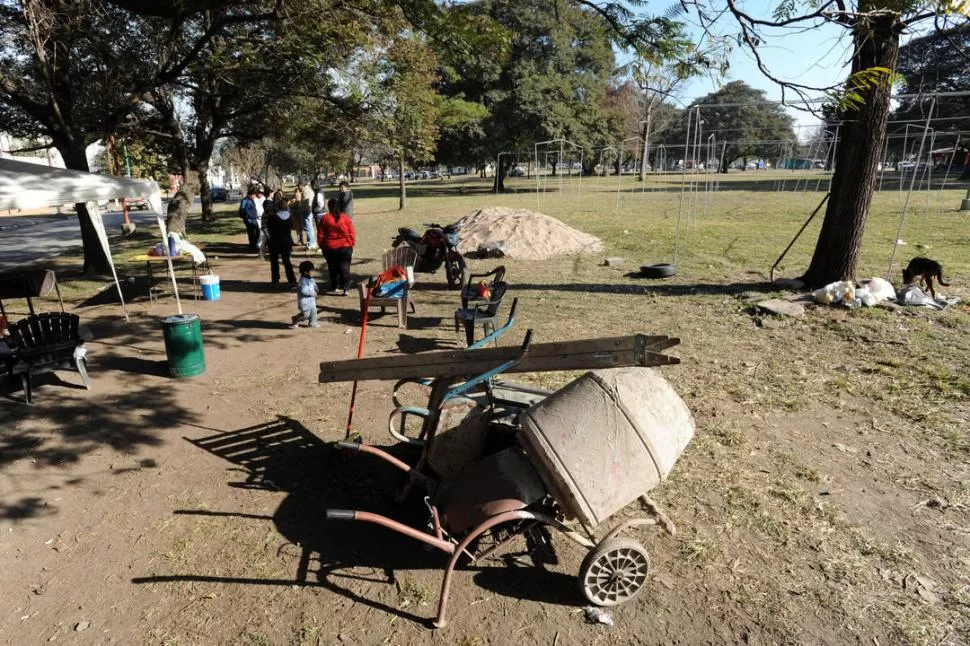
863	100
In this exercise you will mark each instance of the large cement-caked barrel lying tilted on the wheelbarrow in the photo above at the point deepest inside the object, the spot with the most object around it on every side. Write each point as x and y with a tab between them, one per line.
606	439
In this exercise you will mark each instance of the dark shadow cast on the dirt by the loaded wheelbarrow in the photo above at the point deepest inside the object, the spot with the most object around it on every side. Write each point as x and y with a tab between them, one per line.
283	455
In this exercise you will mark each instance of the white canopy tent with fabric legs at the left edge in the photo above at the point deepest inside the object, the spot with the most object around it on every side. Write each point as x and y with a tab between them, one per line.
24	185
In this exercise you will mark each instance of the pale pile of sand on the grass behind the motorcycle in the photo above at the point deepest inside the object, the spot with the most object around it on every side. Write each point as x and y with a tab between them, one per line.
527	235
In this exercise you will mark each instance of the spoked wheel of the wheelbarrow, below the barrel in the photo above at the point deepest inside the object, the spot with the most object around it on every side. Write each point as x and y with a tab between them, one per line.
614	572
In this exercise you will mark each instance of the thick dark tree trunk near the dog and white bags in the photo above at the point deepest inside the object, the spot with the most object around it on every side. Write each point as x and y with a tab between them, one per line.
857	158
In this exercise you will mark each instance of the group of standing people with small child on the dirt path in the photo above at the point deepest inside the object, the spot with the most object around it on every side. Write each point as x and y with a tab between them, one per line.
319	224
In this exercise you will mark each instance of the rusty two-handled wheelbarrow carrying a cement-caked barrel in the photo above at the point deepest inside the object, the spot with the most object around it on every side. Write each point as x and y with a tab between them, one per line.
575	459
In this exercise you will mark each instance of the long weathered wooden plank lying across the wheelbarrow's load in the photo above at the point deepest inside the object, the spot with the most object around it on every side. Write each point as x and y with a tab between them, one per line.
636	350
